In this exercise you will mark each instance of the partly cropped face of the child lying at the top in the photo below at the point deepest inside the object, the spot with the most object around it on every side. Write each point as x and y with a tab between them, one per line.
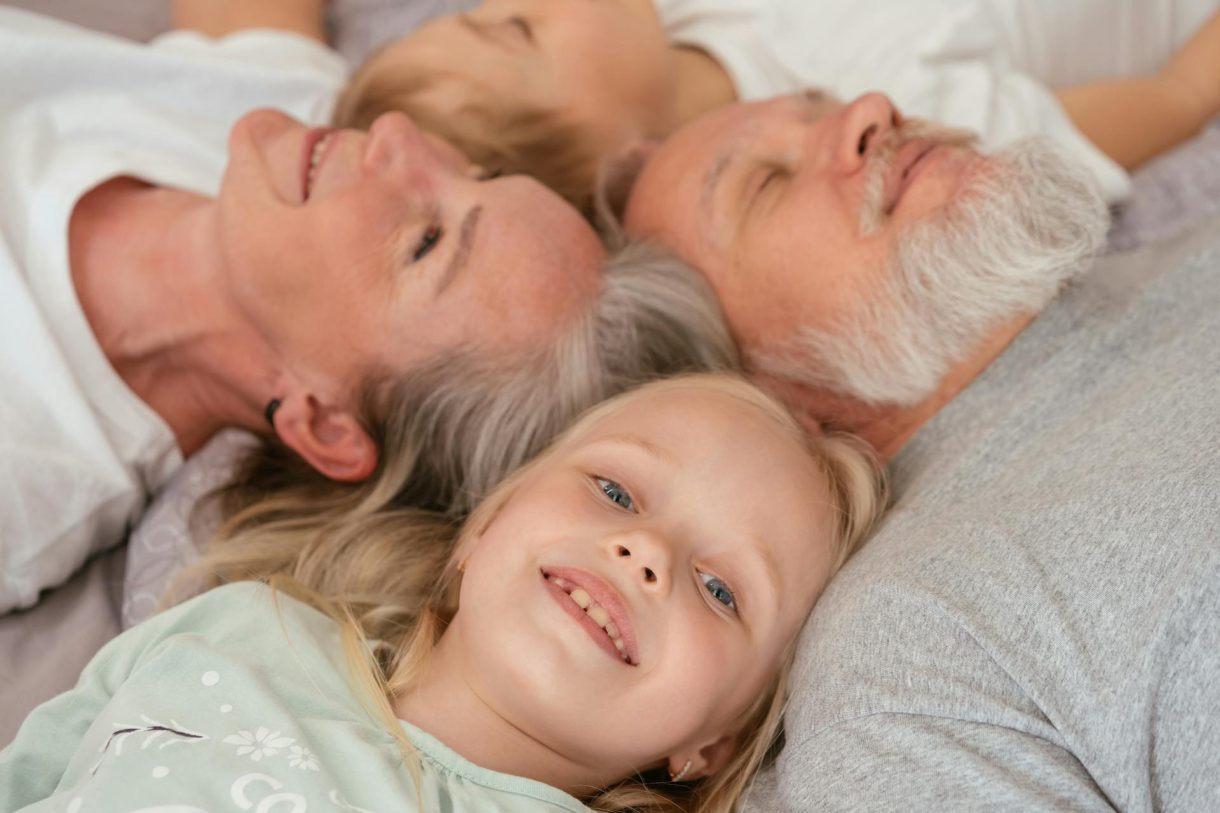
606	63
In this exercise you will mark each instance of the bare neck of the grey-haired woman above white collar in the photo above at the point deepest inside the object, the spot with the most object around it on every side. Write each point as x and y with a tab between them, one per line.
149	279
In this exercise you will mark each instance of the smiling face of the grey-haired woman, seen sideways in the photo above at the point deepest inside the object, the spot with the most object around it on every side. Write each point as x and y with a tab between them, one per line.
385	248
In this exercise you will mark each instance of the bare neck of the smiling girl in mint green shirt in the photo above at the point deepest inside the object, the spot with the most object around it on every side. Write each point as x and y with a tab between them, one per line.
445	705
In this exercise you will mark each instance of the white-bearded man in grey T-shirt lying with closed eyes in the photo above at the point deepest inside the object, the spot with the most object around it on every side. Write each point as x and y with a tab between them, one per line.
1036	623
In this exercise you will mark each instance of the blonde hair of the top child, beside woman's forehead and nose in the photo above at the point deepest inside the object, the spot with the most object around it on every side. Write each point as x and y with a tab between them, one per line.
502	135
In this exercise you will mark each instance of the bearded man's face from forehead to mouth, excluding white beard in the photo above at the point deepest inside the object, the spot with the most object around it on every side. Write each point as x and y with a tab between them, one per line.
795	206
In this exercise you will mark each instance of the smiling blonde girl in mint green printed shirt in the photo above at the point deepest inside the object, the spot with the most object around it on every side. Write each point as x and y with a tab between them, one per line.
611	631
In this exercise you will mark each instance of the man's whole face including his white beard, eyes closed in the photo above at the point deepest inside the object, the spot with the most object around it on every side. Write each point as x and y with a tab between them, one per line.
859	253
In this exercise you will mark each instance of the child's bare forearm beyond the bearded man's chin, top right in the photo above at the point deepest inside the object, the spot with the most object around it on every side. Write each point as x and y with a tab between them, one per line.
1135	120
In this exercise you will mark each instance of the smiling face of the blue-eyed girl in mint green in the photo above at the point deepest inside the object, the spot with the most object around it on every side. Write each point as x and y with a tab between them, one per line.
639	589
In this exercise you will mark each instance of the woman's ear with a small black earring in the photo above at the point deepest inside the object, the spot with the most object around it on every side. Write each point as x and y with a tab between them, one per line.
329	439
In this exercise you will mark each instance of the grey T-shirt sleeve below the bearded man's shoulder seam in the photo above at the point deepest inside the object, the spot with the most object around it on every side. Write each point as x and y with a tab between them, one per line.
913	762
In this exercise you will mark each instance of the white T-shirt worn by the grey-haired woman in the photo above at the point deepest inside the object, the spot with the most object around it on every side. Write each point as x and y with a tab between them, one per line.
80	452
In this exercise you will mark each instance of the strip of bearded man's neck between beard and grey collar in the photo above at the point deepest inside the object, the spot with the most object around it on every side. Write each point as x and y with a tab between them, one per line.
888	428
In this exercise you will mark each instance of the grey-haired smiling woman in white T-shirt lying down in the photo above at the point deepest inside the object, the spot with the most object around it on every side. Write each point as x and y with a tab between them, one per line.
308	284
